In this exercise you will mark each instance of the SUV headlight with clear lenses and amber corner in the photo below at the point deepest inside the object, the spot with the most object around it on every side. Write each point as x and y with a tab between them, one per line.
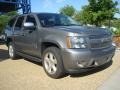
76	42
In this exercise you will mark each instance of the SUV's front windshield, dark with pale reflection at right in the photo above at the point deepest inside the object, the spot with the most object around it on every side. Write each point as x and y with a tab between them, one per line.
48	20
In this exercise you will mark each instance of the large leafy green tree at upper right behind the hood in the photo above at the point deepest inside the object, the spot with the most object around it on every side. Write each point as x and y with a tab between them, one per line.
97	11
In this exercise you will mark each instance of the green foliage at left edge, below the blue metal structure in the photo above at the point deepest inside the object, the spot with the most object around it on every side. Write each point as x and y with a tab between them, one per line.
4	18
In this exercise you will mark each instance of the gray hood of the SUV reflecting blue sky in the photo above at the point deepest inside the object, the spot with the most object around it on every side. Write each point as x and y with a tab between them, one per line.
84	30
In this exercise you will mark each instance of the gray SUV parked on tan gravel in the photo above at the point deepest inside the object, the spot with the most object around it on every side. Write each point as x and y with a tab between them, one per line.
59	42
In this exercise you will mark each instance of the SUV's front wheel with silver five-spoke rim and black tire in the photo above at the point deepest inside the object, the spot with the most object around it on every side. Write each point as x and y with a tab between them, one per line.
52	63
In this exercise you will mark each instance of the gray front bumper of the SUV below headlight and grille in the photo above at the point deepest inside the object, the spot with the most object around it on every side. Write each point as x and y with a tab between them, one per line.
81	60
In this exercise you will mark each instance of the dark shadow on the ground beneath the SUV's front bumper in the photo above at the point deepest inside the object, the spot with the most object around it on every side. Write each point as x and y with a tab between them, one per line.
95	70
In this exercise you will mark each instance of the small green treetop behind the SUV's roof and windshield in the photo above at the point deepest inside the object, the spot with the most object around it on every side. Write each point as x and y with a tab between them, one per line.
67	10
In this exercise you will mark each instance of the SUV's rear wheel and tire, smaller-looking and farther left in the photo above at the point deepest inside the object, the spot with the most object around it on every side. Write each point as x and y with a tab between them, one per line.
12	52
